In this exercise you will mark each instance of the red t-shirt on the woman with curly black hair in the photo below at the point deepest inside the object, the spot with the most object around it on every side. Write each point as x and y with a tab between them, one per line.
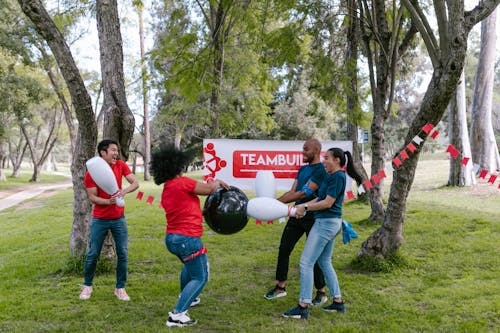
182	207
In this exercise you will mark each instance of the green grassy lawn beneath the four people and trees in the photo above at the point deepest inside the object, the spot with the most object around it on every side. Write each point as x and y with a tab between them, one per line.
451	242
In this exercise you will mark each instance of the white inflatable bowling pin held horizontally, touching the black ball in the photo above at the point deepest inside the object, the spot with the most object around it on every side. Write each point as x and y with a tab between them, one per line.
267	209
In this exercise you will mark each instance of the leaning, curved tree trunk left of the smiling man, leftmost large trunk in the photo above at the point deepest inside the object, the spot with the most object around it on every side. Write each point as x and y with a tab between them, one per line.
87	130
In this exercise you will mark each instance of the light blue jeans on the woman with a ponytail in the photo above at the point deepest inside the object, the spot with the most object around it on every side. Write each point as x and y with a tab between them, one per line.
319	247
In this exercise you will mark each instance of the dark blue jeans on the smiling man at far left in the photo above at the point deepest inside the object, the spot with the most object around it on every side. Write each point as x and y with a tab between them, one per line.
98	231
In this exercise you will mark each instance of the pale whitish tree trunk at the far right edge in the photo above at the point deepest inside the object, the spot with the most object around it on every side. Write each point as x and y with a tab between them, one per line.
484	146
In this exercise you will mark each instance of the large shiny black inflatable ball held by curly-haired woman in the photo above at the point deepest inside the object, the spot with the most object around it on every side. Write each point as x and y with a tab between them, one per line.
225	211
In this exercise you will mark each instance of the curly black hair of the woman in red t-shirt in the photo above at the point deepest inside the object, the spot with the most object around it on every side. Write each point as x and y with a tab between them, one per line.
168	162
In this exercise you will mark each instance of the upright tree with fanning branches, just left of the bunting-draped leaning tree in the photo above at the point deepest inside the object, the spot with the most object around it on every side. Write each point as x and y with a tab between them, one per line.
386	34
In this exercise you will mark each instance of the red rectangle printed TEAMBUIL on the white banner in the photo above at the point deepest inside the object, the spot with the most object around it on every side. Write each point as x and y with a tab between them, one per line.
284	164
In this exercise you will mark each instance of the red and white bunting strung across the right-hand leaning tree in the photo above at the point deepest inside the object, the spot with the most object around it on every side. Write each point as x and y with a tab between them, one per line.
410	148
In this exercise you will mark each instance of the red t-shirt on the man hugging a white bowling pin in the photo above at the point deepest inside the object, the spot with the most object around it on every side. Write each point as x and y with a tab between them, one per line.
108	212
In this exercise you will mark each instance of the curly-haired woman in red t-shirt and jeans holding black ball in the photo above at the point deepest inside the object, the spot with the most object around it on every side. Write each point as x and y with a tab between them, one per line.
184	225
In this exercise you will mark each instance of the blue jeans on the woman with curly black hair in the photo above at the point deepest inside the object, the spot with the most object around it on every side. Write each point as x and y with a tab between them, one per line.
194	273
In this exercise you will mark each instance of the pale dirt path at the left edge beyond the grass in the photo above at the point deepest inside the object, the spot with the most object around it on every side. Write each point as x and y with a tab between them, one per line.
13	197
